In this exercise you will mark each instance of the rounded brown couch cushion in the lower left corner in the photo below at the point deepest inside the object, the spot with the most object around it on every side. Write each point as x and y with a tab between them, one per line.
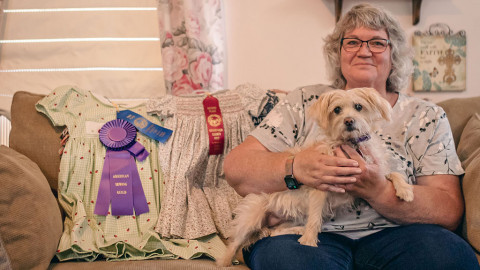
30	220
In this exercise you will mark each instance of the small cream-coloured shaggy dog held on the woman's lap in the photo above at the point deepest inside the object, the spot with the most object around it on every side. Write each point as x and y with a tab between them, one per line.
348	118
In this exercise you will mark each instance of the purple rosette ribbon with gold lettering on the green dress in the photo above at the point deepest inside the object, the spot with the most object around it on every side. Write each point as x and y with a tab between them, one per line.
120	184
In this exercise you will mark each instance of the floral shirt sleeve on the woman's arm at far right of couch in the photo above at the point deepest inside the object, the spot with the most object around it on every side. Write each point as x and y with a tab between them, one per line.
435	153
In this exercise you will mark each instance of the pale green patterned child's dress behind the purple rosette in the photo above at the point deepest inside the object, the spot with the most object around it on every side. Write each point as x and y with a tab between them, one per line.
86	235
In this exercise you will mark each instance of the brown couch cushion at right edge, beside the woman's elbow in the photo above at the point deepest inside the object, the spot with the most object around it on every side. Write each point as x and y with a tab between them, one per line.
469	154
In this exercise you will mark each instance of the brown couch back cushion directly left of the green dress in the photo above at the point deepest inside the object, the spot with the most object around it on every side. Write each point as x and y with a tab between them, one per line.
34	136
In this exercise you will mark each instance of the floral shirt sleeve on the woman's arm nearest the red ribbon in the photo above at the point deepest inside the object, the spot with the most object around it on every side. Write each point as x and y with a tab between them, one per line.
281	127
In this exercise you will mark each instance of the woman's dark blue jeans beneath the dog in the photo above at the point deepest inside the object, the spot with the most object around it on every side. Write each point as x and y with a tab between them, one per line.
409	247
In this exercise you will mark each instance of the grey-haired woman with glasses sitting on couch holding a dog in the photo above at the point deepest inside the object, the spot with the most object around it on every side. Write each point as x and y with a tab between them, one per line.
366	49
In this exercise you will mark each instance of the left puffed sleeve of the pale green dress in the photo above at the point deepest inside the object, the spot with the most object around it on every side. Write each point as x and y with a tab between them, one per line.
63	103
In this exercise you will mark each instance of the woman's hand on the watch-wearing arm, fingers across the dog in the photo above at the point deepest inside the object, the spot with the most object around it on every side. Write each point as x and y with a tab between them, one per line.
324	172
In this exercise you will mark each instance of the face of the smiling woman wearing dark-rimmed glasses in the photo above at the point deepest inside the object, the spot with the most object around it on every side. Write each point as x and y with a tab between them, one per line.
364	68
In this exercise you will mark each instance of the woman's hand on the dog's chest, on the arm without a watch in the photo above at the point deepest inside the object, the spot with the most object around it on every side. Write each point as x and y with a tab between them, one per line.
371	181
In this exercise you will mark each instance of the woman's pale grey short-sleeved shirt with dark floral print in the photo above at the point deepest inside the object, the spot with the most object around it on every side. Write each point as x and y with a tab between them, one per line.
418	138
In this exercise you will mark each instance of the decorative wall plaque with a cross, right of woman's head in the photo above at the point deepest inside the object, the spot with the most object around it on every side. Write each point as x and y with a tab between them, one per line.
440	59
